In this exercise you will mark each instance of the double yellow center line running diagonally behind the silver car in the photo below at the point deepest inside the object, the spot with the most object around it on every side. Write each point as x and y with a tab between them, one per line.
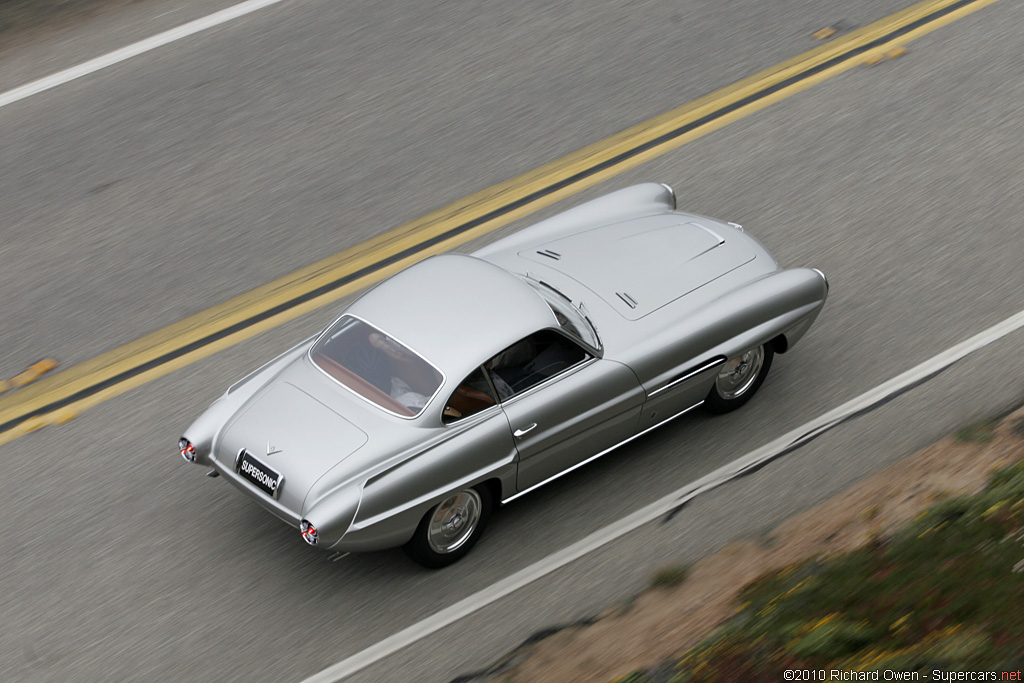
62	397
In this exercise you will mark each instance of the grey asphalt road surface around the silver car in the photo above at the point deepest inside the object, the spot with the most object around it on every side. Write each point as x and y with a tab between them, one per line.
163	186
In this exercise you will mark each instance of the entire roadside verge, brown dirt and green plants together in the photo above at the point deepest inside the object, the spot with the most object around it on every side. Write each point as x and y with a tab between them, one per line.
915	569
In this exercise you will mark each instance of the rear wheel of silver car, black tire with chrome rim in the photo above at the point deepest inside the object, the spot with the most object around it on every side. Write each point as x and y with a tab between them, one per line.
439	543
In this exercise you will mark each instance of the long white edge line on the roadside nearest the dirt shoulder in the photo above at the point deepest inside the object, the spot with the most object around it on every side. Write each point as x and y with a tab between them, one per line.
525	577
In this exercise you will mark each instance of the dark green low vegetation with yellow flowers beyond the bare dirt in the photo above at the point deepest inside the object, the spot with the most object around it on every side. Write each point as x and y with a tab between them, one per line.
944	592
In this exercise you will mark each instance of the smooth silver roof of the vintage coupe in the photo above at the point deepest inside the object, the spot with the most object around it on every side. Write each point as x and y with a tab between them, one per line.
456	311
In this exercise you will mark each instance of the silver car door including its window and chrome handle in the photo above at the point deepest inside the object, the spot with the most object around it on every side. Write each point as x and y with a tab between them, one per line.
564	405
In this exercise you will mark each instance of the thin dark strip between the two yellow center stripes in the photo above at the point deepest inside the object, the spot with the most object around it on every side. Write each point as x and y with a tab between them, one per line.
499	212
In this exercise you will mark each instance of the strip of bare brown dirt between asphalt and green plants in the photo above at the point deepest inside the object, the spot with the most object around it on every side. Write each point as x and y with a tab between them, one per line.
665	622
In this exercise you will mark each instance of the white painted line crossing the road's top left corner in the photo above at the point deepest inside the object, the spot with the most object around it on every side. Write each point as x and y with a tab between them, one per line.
130	52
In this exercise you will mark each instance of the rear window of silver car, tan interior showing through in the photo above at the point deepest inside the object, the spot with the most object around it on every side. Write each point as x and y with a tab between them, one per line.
377	367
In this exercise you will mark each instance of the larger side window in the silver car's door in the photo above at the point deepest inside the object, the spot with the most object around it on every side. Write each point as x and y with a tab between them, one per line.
532	361
